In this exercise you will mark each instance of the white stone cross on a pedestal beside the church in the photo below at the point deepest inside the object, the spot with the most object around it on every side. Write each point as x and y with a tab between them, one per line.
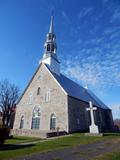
93	128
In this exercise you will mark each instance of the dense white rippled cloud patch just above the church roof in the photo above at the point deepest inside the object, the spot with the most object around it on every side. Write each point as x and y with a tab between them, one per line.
94	73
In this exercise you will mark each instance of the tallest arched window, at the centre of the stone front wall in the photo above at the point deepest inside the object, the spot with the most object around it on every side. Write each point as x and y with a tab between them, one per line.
36	118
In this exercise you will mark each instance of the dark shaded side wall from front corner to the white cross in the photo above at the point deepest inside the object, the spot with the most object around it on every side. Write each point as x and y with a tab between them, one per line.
79	119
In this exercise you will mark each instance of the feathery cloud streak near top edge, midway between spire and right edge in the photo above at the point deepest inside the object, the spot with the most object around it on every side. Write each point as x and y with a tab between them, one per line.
85	11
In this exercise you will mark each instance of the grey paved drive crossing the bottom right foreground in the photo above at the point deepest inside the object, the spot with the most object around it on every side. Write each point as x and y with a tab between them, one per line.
83	152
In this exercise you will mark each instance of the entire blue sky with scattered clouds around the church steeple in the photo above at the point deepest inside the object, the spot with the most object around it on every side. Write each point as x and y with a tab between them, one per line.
88	39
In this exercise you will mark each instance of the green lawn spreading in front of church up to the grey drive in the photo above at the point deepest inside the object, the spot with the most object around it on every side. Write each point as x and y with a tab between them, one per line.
63	142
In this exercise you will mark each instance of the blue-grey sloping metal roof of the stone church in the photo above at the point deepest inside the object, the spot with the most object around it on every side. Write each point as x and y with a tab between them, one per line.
77	91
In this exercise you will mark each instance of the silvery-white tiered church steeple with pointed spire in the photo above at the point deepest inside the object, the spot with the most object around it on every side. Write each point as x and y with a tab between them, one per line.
50	54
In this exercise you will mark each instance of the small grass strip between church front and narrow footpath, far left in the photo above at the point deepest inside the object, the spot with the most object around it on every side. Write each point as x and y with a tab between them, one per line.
21	139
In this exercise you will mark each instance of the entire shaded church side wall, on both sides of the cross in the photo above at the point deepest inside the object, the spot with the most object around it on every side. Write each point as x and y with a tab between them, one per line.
79	118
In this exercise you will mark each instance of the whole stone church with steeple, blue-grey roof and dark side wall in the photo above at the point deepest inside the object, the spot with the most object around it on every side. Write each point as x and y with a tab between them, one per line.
53	102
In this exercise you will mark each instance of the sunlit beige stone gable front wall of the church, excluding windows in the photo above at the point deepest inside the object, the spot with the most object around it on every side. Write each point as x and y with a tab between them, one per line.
57	103
